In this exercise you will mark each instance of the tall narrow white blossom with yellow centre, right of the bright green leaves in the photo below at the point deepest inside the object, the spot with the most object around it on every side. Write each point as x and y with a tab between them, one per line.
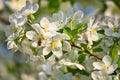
91	33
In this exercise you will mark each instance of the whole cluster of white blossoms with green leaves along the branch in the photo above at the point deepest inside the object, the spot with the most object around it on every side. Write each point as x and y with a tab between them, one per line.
63	43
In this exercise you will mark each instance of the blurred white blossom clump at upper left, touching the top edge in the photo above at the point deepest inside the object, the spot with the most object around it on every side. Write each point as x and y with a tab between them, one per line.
19	18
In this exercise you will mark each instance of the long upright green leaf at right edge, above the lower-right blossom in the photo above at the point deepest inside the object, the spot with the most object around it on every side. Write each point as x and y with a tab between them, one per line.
114	52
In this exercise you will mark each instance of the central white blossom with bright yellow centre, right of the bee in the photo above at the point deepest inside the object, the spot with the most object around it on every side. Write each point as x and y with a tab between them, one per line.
55	45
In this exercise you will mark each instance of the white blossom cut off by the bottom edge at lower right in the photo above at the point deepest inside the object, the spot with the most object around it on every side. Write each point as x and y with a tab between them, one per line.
100	75
